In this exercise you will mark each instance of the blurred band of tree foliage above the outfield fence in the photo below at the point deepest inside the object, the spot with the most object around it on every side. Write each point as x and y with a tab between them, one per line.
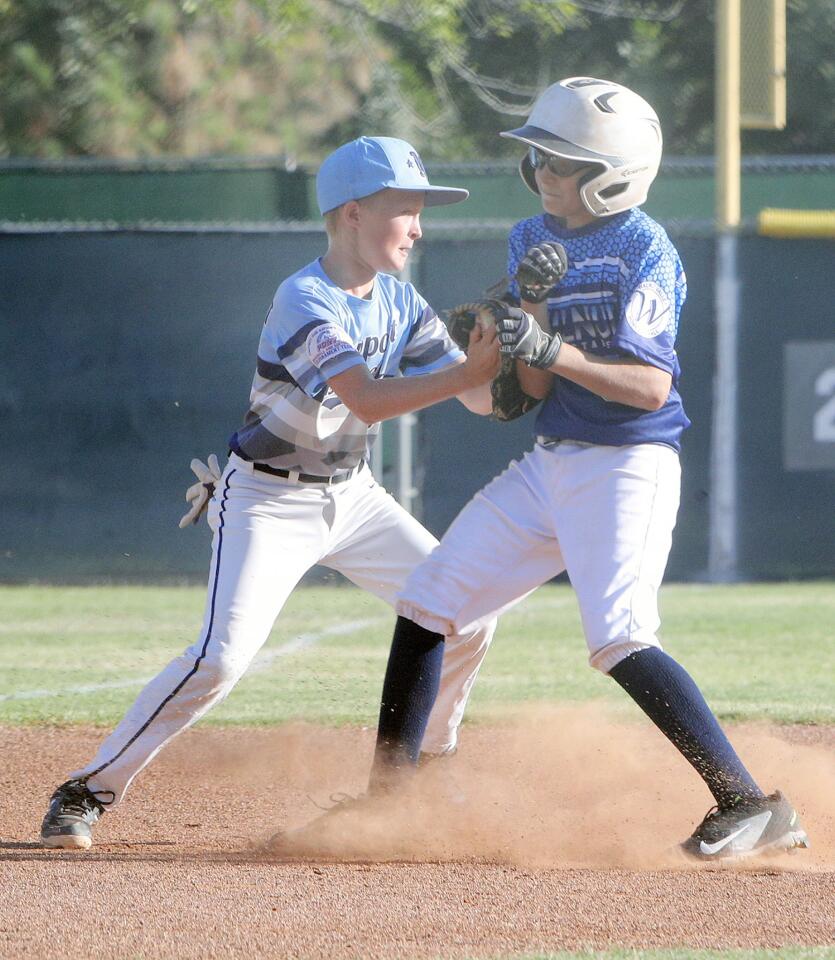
295	77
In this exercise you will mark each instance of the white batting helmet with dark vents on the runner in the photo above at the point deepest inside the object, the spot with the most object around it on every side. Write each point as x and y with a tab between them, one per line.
583	118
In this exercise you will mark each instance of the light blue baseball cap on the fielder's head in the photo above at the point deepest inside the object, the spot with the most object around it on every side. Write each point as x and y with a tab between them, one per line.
368	164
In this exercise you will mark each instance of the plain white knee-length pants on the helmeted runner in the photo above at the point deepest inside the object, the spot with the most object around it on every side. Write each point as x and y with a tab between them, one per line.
604	514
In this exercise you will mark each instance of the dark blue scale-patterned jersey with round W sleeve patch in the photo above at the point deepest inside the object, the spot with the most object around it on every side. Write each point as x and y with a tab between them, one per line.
621	297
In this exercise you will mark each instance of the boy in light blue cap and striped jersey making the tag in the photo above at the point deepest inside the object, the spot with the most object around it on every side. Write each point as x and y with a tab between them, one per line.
344	346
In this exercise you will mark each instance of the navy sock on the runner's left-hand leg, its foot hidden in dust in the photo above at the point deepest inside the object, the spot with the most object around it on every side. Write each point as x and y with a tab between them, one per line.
411	685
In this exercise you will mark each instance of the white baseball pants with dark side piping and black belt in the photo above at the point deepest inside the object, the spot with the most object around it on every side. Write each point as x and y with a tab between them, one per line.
268	532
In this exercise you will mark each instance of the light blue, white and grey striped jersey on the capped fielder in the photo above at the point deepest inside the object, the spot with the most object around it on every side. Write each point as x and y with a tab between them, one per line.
314	331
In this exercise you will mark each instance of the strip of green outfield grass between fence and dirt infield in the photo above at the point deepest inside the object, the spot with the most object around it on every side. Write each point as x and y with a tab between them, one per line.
80	654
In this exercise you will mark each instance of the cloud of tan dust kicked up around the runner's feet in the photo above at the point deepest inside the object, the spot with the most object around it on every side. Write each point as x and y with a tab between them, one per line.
569	786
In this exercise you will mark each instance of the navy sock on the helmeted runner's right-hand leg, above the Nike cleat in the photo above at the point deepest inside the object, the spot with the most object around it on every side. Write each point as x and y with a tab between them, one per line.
667	694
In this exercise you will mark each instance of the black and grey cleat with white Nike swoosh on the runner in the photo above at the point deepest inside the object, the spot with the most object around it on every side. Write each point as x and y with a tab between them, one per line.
747	829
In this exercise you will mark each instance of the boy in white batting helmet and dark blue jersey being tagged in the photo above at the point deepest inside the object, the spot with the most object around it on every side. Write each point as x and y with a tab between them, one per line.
598	290
